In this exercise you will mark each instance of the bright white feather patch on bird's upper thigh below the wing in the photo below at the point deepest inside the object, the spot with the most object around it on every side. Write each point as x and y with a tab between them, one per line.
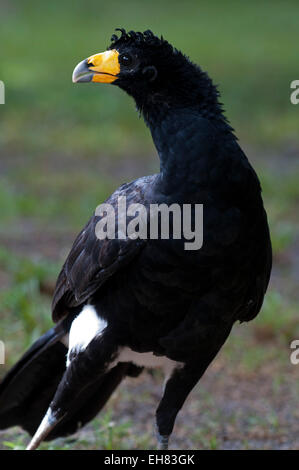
84	328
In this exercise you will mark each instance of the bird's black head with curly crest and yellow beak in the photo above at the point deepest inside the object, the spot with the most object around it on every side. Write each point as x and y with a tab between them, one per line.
151	70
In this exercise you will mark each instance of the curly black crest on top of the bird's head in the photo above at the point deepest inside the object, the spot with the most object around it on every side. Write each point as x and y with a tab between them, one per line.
146	38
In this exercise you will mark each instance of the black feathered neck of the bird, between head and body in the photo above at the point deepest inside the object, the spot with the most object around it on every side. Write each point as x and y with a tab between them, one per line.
183	115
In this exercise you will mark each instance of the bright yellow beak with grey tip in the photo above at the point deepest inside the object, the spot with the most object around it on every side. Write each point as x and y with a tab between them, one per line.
99	68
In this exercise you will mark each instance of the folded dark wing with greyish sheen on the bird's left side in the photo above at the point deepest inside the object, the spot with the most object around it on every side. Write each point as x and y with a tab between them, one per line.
92	261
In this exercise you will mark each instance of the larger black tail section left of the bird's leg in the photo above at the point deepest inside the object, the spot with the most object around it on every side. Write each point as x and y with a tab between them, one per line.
27	389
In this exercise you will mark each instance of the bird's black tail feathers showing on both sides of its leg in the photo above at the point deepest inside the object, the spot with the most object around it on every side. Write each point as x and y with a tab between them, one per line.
28	388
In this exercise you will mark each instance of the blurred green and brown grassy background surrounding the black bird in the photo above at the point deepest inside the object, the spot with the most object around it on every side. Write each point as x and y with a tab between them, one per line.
64	148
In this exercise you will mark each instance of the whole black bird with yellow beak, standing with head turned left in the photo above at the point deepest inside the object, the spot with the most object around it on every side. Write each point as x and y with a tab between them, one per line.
123	304
